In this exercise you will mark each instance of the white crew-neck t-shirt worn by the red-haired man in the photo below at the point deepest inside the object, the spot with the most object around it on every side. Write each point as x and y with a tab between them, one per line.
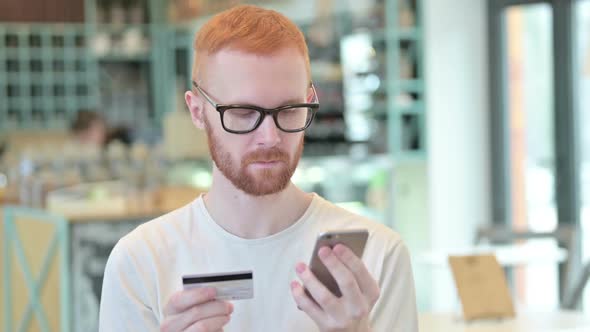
145	269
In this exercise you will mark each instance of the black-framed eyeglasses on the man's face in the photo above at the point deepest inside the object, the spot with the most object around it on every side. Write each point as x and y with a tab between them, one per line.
243	119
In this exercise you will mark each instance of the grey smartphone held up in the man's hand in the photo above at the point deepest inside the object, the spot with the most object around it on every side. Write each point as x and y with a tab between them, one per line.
354	239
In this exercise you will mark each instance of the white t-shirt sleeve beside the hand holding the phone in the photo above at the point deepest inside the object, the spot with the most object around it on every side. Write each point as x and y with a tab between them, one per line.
396	308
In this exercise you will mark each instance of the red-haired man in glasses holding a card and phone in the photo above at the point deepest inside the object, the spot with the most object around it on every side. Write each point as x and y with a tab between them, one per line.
254	98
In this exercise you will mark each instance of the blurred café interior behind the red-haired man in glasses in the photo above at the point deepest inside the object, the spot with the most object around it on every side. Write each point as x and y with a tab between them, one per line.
462	124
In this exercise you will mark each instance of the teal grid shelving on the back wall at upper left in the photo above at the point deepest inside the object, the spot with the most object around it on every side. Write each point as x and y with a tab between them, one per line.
47	70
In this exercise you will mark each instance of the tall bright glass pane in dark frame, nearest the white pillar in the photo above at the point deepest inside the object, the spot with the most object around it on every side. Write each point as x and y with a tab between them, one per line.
529	60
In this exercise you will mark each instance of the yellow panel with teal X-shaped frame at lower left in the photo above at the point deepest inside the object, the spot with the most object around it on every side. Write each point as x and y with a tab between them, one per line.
36	276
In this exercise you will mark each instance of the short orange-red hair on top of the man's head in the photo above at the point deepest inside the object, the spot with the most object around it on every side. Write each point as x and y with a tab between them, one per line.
249	29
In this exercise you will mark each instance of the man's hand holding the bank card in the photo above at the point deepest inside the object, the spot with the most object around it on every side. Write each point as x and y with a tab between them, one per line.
196	310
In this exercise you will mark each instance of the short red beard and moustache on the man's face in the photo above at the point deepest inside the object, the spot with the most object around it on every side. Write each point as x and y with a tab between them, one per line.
255	182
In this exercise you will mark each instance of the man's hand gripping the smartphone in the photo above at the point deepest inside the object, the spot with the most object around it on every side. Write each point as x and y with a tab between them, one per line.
360	292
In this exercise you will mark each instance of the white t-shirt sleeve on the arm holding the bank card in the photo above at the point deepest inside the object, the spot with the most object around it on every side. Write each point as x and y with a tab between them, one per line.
124	302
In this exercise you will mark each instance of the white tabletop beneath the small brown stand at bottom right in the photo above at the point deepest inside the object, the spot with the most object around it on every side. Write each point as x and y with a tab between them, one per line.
562	321
